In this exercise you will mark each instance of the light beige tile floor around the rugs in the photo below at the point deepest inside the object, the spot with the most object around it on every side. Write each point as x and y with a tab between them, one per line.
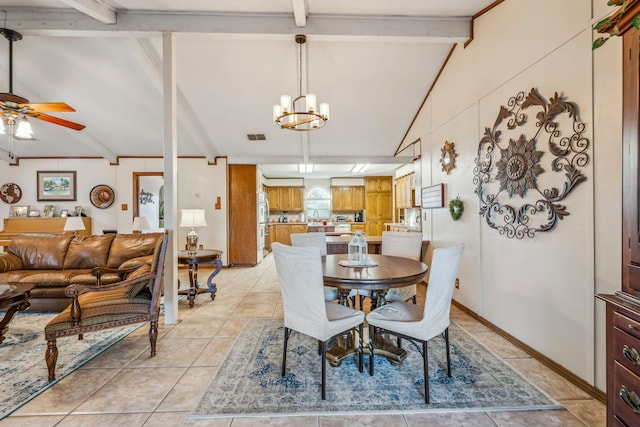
125	387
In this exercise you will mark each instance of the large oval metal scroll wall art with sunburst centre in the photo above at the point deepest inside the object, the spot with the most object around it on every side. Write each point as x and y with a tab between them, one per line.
521	188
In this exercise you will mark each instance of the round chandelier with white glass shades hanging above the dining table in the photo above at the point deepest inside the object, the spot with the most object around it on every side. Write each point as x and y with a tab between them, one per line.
302	114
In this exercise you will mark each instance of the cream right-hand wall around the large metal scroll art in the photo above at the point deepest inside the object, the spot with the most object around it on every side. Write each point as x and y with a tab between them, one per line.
540	290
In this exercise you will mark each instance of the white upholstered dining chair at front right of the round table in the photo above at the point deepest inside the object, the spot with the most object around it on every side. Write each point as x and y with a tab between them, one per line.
418	324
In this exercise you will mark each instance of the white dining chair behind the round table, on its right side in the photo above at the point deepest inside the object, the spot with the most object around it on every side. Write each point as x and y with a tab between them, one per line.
400	244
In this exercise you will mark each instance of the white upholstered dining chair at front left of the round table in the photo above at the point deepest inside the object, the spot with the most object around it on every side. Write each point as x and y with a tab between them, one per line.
301	286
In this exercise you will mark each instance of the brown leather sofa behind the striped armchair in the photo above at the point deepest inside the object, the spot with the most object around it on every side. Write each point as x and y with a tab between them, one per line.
54	261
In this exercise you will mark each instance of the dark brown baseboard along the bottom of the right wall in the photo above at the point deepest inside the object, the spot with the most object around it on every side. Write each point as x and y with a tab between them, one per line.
557	368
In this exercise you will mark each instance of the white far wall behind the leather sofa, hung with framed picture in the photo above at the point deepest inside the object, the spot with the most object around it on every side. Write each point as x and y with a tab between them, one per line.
199	185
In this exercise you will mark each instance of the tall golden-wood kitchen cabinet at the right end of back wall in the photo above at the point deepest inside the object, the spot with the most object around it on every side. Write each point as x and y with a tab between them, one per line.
378	204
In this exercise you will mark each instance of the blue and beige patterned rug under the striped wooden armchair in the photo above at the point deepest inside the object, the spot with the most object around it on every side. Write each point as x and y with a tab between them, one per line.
23	370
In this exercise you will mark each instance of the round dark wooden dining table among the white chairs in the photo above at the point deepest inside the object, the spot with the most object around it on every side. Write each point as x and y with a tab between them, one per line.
389	272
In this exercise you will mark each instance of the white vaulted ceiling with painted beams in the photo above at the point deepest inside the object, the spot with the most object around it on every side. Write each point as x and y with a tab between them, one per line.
373	61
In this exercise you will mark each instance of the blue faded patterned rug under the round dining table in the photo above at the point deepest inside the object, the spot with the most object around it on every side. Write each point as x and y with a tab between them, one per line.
249	383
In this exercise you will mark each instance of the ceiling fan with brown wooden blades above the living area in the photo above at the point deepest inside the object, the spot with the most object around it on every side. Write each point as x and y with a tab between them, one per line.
14	108
